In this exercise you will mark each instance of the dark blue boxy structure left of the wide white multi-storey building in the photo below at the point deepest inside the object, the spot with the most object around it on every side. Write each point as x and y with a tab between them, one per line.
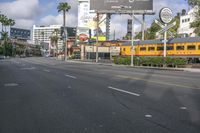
20	34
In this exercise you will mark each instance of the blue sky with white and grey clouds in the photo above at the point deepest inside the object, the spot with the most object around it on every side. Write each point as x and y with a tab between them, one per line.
26	13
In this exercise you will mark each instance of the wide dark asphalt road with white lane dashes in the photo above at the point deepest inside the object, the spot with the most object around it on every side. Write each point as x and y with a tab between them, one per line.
41	95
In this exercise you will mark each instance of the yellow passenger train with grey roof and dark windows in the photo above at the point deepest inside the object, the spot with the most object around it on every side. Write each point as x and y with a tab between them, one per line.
179	47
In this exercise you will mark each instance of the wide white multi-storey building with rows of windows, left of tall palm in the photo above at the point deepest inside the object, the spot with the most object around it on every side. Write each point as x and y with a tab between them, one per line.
43	34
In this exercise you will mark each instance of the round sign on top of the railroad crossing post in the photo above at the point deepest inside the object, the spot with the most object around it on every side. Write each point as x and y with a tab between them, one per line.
166	15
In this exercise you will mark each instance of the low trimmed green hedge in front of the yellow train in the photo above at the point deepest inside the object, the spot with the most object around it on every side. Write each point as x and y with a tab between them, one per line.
152	61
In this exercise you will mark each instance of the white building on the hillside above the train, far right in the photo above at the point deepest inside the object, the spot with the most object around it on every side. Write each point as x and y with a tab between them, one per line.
185	21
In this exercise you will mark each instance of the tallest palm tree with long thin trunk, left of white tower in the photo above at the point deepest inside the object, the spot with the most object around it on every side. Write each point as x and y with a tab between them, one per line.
64	7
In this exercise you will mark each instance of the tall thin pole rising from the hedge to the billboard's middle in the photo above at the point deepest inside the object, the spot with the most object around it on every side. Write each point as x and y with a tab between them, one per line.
132	38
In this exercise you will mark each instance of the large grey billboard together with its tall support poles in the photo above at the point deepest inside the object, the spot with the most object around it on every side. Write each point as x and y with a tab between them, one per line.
133	7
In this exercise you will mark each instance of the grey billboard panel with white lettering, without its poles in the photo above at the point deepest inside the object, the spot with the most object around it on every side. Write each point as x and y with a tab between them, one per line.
116	5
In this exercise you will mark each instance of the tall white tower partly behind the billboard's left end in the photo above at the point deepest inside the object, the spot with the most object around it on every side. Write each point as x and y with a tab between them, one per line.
87	18
